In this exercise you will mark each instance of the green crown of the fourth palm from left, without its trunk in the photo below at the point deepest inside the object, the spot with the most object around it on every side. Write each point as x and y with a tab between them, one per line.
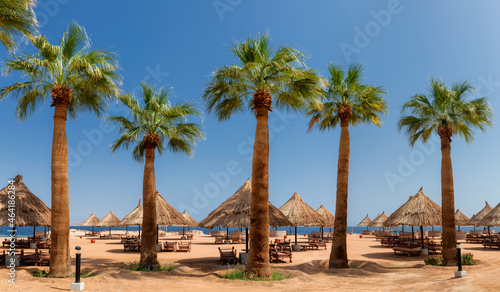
346	97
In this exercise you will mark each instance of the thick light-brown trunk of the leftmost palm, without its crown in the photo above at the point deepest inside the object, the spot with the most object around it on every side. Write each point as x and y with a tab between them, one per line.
59	253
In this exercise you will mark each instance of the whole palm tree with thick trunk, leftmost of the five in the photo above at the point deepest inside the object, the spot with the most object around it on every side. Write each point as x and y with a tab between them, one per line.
77	79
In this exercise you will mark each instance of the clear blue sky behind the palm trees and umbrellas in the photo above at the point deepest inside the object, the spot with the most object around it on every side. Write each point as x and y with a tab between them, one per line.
177	44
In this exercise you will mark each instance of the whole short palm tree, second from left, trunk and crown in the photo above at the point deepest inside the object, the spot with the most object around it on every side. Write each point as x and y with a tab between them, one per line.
156	126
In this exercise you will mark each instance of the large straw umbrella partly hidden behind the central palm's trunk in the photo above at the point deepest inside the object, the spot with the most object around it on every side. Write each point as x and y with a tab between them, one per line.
235	212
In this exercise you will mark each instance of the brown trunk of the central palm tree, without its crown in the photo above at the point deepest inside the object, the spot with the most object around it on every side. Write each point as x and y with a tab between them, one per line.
258	258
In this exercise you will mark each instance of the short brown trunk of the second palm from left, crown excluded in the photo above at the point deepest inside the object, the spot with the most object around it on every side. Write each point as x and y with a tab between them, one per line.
149	232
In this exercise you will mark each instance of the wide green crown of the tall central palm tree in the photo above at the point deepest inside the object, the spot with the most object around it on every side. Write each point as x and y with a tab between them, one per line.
263	73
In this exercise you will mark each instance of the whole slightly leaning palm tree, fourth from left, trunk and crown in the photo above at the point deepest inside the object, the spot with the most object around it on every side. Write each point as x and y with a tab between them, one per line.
346	102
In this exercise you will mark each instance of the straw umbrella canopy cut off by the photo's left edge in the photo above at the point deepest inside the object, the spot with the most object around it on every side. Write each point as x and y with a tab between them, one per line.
29	210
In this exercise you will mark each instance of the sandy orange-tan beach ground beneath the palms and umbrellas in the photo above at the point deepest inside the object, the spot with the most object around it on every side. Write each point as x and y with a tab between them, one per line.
373	268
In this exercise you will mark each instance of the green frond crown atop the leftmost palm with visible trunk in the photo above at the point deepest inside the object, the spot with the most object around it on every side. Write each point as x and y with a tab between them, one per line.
76	76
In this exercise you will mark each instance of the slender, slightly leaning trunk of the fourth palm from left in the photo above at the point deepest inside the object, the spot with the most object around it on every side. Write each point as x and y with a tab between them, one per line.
338	255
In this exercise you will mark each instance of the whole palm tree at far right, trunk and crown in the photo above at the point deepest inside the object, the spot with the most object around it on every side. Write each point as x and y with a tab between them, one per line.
446	112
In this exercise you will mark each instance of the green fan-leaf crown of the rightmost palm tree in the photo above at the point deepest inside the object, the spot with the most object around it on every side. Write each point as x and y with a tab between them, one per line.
445	111
